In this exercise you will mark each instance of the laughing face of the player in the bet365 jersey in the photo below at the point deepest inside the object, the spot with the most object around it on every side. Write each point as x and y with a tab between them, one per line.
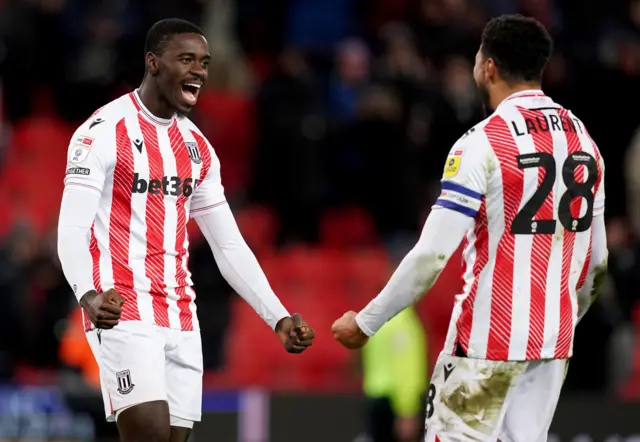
183	70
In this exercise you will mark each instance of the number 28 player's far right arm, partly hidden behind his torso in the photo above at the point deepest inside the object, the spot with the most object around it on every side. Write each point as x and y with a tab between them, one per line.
596	272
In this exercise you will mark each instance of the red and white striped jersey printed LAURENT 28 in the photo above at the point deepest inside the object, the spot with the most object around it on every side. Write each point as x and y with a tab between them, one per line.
531	177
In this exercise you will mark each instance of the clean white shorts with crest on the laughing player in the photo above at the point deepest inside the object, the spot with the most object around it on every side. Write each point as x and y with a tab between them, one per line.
142	362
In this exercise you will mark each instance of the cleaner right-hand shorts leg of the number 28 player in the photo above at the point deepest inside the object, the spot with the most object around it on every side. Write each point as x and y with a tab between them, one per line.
533	401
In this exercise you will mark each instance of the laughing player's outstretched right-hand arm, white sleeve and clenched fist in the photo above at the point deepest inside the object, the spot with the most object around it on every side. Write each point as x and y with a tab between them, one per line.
237	263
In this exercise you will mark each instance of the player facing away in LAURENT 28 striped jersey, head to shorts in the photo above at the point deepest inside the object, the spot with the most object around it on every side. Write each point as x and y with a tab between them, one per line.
524	192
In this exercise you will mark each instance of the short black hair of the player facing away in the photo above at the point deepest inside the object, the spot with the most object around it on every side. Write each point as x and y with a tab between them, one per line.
520	46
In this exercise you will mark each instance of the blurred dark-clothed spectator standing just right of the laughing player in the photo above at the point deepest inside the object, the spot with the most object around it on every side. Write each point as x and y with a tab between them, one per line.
288	170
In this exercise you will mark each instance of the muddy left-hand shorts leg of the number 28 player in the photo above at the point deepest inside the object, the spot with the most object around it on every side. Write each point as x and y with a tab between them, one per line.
466	398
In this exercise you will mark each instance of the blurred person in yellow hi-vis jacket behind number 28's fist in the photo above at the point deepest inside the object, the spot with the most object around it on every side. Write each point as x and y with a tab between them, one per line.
395	379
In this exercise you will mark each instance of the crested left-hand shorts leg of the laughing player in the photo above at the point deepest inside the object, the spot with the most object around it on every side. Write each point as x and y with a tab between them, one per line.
132	364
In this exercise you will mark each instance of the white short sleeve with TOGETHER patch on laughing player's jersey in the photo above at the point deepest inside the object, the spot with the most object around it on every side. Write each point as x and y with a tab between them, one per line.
90	157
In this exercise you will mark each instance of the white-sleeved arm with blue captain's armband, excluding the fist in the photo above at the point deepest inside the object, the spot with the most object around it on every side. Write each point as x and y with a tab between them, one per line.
453	215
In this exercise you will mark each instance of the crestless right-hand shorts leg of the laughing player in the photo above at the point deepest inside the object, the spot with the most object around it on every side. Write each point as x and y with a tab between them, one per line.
184	377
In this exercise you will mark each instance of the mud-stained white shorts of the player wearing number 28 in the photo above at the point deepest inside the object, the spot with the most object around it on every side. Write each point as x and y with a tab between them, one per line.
486	401
